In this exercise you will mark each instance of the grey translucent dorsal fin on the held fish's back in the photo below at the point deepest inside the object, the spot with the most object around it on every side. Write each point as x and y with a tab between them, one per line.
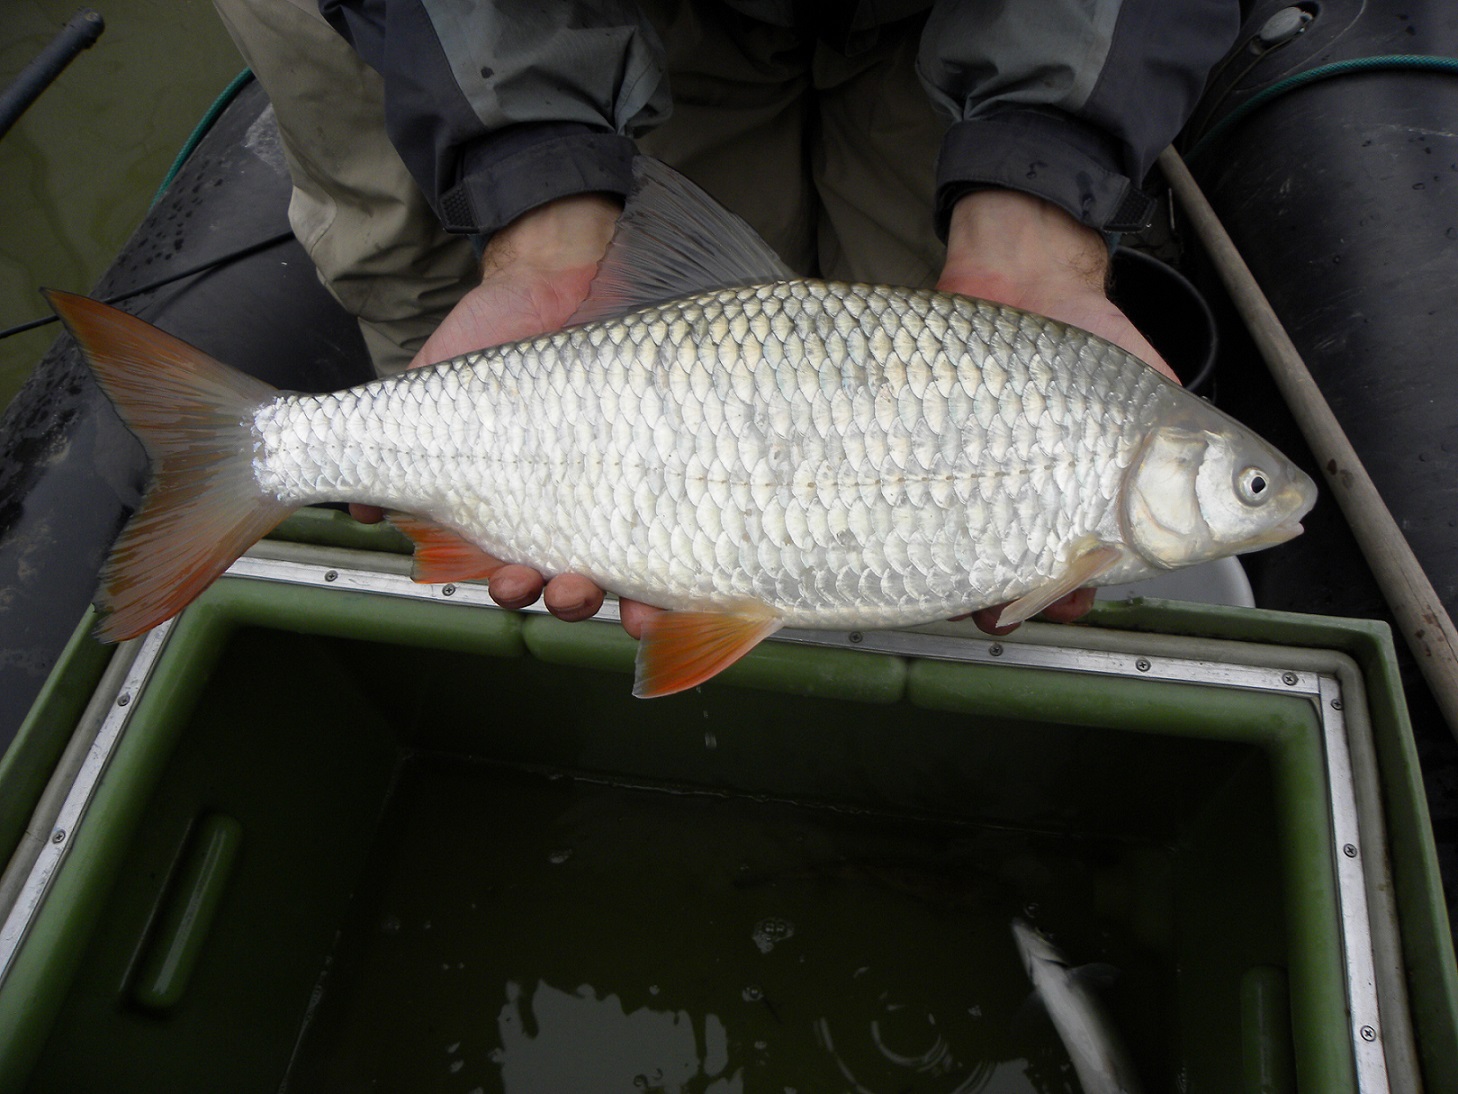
671	241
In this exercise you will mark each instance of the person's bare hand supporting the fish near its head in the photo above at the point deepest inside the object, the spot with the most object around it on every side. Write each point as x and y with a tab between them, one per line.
1020	250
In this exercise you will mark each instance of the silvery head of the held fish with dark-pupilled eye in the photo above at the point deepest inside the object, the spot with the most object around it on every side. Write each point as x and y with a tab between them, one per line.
1205	488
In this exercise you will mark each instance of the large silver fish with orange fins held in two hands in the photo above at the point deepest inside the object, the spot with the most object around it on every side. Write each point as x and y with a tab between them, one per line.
715	437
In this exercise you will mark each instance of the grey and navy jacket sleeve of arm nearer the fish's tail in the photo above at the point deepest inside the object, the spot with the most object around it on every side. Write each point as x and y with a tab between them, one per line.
499	107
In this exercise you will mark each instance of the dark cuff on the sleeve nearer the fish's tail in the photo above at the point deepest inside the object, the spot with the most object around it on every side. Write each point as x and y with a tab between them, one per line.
526	167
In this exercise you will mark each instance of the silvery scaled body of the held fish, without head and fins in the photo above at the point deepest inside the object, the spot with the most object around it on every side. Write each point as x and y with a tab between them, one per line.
765	402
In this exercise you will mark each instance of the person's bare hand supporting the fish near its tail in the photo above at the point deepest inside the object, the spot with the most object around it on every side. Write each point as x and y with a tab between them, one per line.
534	275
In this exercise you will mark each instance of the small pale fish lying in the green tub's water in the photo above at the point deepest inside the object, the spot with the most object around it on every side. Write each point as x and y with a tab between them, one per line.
1099	1057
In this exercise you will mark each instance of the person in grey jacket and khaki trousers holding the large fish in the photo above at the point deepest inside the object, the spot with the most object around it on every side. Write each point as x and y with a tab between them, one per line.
459	166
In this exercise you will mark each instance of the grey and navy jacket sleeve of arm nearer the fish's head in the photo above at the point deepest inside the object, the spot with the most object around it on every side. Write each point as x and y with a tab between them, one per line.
1068	100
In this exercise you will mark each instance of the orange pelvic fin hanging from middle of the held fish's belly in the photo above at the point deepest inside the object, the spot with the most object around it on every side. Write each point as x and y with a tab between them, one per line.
682	650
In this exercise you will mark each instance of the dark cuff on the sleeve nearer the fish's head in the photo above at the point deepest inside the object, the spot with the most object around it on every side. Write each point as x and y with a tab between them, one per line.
1050	157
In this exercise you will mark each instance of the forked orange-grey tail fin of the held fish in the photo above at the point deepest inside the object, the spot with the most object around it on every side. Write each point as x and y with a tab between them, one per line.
202	508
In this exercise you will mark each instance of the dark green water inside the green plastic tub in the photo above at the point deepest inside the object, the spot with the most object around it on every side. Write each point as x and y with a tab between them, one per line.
527	934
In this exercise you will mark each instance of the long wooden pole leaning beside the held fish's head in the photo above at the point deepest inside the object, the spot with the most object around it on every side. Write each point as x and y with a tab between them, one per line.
1421	616
